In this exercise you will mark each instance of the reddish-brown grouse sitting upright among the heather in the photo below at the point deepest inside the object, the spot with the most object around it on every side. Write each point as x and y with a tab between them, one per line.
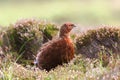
56	52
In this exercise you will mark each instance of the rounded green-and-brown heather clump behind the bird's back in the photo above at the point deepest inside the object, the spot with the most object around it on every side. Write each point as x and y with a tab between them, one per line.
26	36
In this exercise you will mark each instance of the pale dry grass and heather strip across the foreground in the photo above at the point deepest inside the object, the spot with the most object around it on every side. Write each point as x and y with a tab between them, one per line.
78	69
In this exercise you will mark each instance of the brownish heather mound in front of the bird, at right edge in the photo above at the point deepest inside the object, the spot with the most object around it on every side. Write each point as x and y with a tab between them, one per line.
103	40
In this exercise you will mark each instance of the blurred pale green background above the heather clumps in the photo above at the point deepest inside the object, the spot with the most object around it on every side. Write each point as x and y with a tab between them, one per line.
83	12
